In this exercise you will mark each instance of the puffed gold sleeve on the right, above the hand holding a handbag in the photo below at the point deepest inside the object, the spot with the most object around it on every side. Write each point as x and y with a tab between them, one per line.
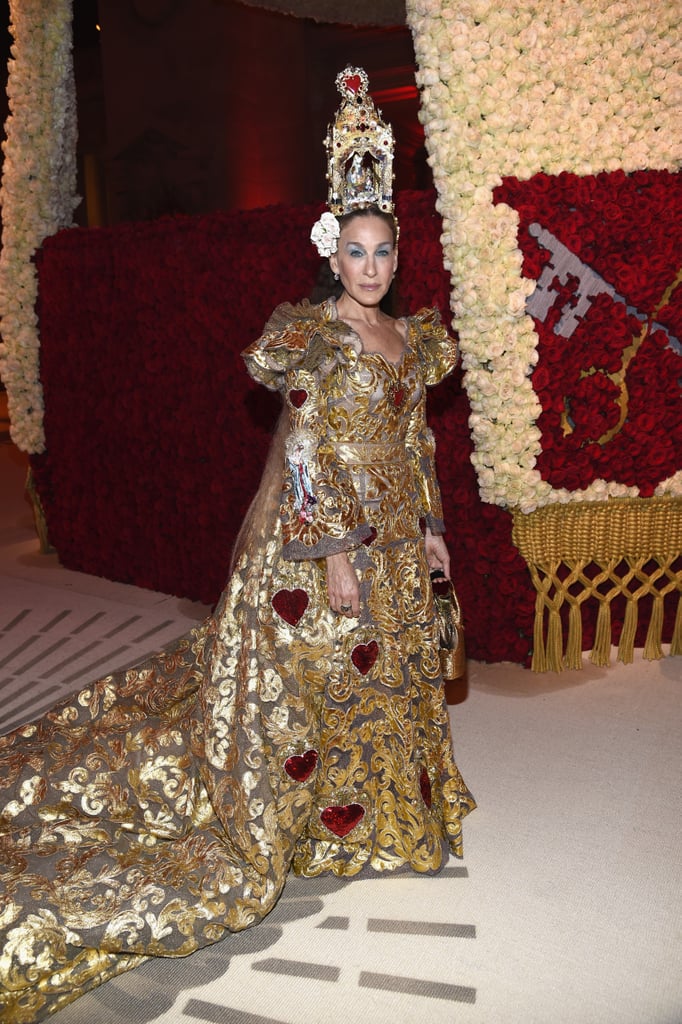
439	356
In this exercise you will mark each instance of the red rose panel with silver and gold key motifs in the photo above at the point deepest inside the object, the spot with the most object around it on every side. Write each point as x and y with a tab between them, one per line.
610	381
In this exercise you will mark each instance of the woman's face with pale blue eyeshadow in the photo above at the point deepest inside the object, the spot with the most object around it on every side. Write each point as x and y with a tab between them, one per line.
366	261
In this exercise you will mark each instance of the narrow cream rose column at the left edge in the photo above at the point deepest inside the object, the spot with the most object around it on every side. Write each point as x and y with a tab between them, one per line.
38	196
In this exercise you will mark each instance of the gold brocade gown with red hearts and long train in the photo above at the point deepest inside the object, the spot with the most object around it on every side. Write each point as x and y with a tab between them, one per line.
163	806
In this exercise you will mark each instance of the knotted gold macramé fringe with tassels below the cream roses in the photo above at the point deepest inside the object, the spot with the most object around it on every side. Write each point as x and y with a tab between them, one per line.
634	542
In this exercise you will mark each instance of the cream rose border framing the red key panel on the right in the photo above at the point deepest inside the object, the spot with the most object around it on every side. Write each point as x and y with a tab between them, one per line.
513	90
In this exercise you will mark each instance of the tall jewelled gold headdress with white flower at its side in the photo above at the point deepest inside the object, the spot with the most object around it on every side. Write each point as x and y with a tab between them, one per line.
360	159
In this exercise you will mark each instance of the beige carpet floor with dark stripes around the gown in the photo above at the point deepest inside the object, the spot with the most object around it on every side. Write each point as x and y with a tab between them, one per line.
567	909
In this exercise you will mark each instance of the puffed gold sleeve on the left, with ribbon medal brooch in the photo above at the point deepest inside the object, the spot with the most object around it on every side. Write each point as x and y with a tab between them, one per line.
299	355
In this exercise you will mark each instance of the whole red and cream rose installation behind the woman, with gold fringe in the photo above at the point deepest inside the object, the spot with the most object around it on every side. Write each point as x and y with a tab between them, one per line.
555	139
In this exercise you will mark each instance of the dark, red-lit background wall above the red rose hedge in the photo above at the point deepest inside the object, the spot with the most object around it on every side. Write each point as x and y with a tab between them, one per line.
194	106
